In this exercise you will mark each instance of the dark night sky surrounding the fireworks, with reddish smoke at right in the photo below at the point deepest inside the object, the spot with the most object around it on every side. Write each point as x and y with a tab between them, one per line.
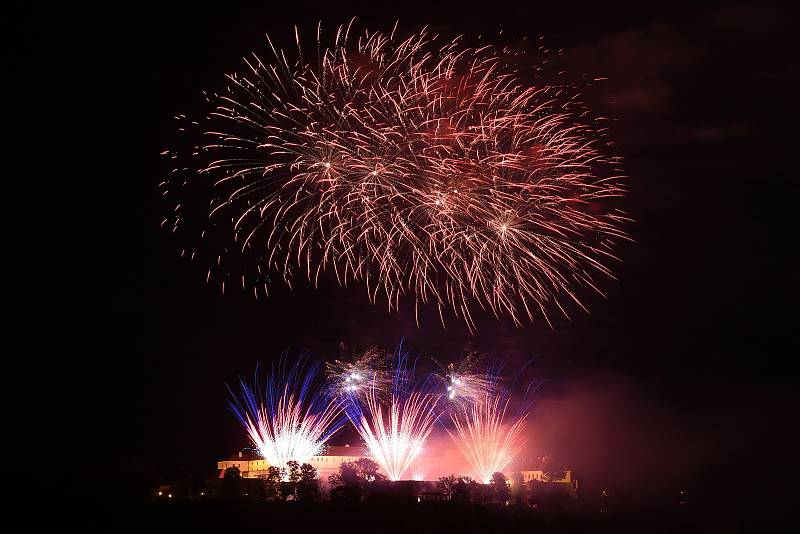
679	376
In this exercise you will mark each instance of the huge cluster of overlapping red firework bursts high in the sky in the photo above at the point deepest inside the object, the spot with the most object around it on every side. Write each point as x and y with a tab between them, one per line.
419	167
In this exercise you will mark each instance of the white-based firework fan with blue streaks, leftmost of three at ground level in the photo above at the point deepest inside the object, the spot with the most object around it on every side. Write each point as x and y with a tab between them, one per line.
288	418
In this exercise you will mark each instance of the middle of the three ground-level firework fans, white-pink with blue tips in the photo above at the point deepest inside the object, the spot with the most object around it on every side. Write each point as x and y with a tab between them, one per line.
395	428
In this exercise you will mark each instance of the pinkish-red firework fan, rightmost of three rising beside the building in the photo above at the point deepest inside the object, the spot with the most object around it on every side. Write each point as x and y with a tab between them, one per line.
486	437
